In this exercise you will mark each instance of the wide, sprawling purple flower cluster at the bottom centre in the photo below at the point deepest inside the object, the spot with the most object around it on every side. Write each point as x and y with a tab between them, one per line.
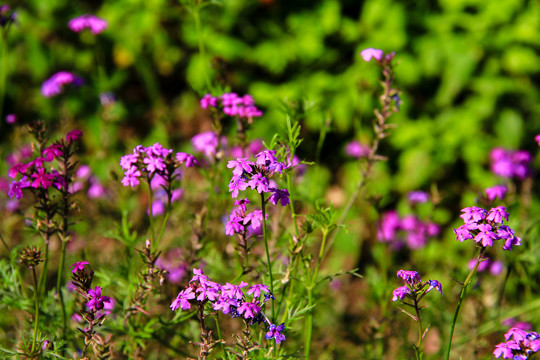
239	300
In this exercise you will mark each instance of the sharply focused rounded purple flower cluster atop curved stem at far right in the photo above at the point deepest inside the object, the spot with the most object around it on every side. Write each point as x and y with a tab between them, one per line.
485	227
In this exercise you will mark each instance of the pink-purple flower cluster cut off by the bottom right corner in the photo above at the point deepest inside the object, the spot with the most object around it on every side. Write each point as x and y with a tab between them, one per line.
519	344
